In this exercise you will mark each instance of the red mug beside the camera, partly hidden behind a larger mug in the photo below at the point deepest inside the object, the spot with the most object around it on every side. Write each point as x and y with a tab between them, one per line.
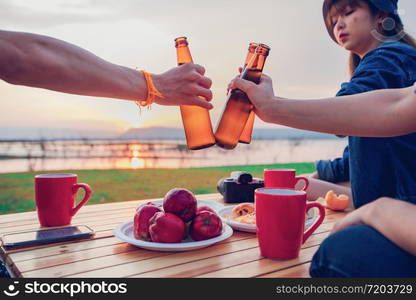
283	178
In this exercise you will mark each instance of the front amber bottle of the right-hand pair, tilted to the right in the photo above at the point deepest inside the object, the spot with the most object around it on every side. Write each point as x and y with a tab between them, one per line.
238	107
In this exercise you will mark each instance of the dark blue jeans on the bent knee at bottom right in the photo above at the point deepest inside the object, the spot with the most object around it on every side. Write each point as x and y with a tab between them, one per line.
361	251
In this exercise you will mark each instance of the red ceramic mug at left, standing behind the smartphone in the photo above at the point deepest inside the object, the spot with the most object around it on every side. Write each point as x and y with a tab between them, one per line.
55	198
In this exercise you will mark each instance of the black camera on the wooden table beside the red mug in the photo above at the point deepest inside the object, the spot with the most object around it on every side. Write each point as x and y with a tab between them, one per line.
239	187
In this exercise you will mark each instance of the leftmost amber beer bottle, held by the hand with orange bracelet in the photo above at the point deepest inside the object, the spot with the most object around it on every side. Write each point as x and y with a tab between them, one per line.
196	120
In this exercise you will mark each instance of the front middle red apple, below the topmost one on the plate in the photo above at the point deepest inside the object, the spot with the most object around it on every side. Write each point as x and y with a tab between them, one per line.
166	228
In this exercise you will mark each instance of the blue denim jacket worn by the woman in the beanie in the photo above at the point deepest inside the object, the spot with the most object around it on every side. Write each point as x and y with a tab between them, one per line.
378	166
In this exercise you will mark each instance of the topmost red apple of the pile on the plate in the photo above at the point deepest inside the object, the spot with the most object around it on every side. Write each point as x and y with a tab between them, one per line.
180	202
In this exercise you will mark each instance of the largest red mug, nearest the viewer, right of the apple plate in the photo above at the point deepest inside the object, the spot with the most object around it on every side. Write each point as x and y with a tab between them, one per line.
280	221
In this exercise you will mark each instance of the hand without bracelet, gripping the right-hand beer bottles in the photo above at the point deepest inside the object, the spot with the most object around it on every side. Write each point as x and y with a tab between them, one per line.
261	95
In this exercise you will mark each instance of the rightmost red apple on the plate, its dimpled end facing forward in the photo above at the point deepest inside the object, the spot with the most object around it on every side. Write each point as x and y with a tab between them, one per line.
205	225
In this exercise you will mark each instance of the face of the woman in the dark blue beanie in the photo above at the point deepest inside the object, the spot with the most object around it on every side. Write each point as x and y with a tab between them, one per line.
353	26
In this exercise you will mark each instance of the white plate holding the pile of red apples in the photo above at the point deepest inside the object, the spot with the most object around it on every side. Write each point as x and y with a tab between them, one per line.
124	232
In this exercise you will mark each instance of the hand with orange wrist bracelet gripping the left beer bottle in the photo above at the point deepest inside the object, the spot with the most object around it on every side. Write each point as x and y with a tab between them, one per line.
184	85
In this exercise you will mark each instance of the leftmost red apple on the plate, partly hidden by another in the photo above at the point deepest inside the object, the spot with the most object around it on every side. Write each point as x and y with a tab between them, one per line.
141	220
